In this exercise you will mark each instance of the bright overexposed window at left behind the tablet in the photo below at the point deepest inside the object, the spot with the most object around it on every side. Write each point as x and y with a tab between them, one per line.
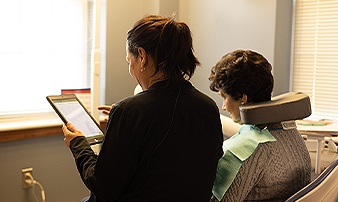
45	47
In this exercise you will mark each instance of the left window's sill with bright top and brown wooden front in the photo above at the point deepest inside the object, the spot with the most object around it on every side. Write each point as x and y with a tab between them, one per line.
12	129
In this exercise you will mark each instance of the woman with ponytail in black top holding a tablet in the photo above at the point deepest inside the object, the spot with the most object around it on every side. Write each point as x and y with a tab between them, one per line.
163	144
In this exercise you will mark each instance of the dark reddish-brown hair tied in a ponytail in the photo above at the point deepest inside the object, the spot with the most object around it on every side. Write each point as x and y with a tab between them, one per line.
168	42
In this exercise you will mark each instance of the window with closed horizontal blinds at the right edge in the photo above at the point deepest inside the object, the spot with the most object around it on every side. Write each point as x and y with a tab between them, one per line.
315	55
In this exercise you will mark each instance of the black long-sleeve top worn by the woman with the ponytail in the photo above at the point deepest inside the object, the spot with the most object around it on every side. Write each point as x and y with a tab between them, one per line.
162	144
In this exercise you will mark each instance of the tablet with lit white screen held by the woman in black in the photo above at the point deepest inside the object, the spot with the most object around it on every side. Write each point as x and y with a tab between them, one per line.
70	109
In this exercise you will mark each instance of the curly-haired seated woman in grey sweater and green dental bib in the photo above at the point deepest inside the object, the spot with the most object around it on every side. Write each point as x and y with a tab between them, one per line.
260	162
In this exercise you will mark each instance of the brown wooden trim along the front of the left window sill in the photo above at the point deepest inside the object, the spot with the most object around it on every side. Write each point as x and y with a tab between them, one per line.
21	134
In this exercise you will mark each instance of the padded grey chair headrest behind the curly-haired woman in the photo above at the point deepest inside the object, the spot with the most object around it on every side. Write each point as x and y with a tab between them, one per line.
284	107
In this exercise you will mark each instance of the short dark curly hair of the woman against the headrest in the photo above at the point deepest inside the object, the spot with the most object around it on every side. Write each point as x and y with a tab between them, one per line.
243	72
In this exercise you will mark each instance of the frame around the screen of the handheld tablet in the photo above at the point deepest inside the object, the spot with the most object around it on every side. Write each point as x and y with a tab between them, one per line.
52	98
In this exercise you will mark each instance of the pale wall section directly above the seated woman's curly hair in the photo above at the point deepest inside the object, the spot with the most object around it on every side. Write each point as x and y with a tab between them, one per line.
220	26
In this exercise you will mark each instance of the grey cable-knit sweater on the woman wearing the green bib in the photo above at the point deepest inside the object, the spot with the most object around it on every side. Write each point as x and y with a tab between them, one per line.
274	171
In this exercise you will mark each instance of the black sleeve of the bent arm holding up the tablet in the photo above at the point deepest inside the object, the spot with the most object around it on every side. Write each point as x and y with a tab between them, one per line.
108	174
